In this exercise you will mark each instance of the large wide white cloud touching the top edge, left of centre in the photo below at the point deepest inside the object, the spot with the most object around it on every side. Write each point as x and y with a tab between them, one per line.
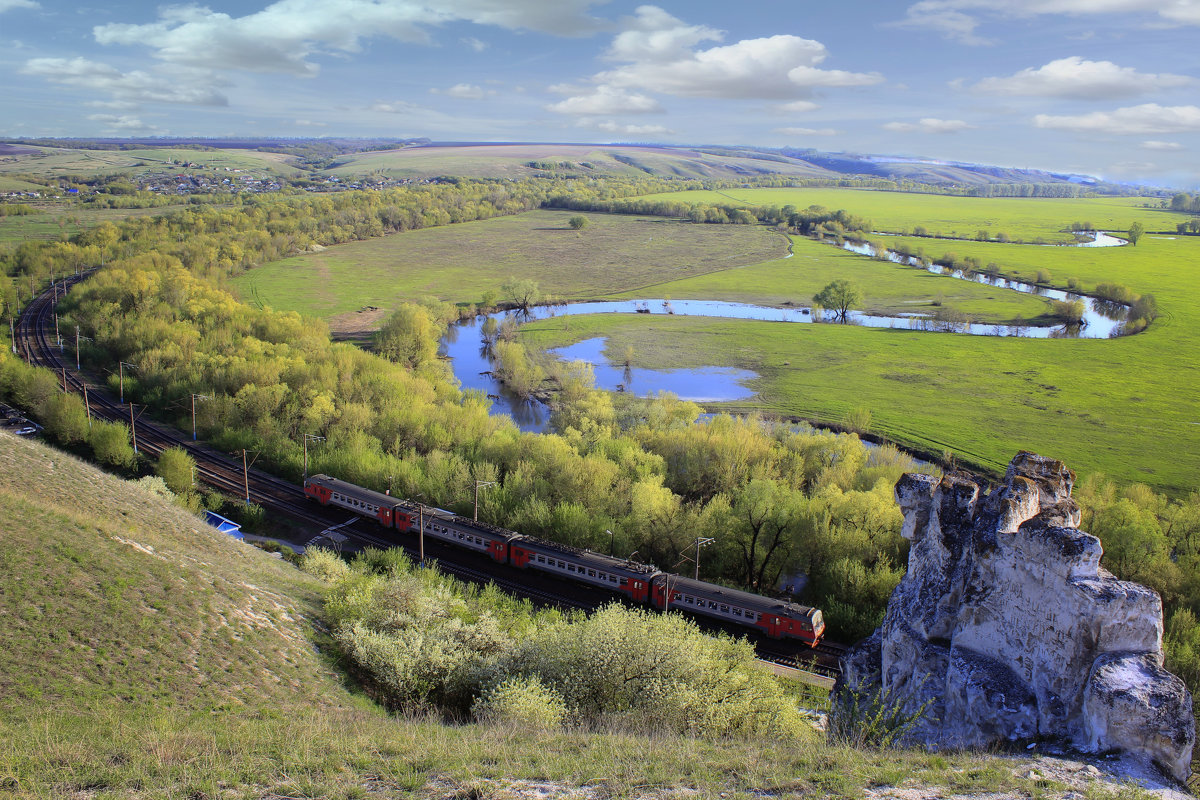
286	34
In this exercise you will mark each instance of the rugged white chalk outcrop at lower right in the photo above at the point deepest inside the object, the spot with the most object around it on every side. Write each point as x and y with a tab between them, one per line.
1006	628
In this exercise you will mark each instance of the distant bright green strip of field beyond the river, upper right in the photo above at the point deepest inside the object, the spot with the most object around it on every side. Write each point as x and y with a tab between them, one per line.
956	216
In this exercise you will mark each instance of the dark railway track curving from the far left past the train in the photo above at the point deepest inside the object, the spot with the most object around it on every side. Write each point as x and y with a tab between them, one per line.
226	474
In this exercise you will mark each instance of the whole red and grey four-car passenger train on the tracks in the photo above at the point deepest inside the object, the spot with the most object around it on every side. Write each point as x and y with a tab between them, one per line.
641	584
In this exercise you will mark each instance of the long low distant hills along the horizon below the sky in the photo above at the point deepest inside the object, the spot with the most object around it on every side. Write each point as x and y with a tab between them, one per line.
418	159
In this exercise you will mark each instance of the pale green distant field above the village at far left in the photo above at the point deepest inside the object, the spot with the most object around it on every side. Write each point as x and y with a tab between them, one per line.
101	163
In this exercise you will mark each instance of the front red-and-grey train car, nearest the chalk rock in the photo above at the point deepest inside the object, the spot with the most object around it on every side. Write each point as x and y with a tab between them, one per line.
776	618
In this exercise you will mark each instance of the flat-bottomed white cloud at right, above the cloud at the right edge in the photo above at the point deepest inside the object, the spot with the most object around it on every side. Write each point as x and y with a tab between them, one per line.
1075	77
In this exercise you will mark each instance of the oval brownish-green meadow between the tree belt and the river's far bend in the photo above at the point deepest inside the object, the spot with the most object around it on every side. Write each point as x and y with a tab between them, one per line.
460	263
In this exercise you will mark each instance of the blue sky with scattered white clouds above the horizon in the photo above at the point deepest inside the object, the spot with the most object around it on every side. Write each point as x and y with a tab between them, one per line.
1107	88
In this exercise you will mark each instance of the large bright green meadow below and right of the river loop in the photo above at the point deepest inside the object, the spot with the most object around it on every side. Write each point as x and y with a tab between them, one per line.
1127	407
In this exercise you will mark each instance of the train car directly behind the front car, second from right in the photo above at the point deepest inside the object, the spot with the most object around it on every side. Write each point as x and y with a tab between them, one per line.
621	576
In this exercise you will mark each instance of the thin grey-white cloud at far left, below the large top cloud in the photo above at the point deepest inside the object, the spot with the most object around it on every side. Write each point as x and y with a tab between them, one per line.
129	89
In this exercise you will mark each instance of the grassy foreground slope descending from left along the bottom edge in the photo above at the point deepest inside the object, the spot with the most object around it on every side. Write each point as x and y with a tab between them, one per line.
143	654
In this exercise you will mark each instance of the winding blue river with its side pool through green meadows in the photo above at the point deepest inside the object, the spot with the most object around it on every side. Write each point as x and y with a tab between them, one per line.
472	365
